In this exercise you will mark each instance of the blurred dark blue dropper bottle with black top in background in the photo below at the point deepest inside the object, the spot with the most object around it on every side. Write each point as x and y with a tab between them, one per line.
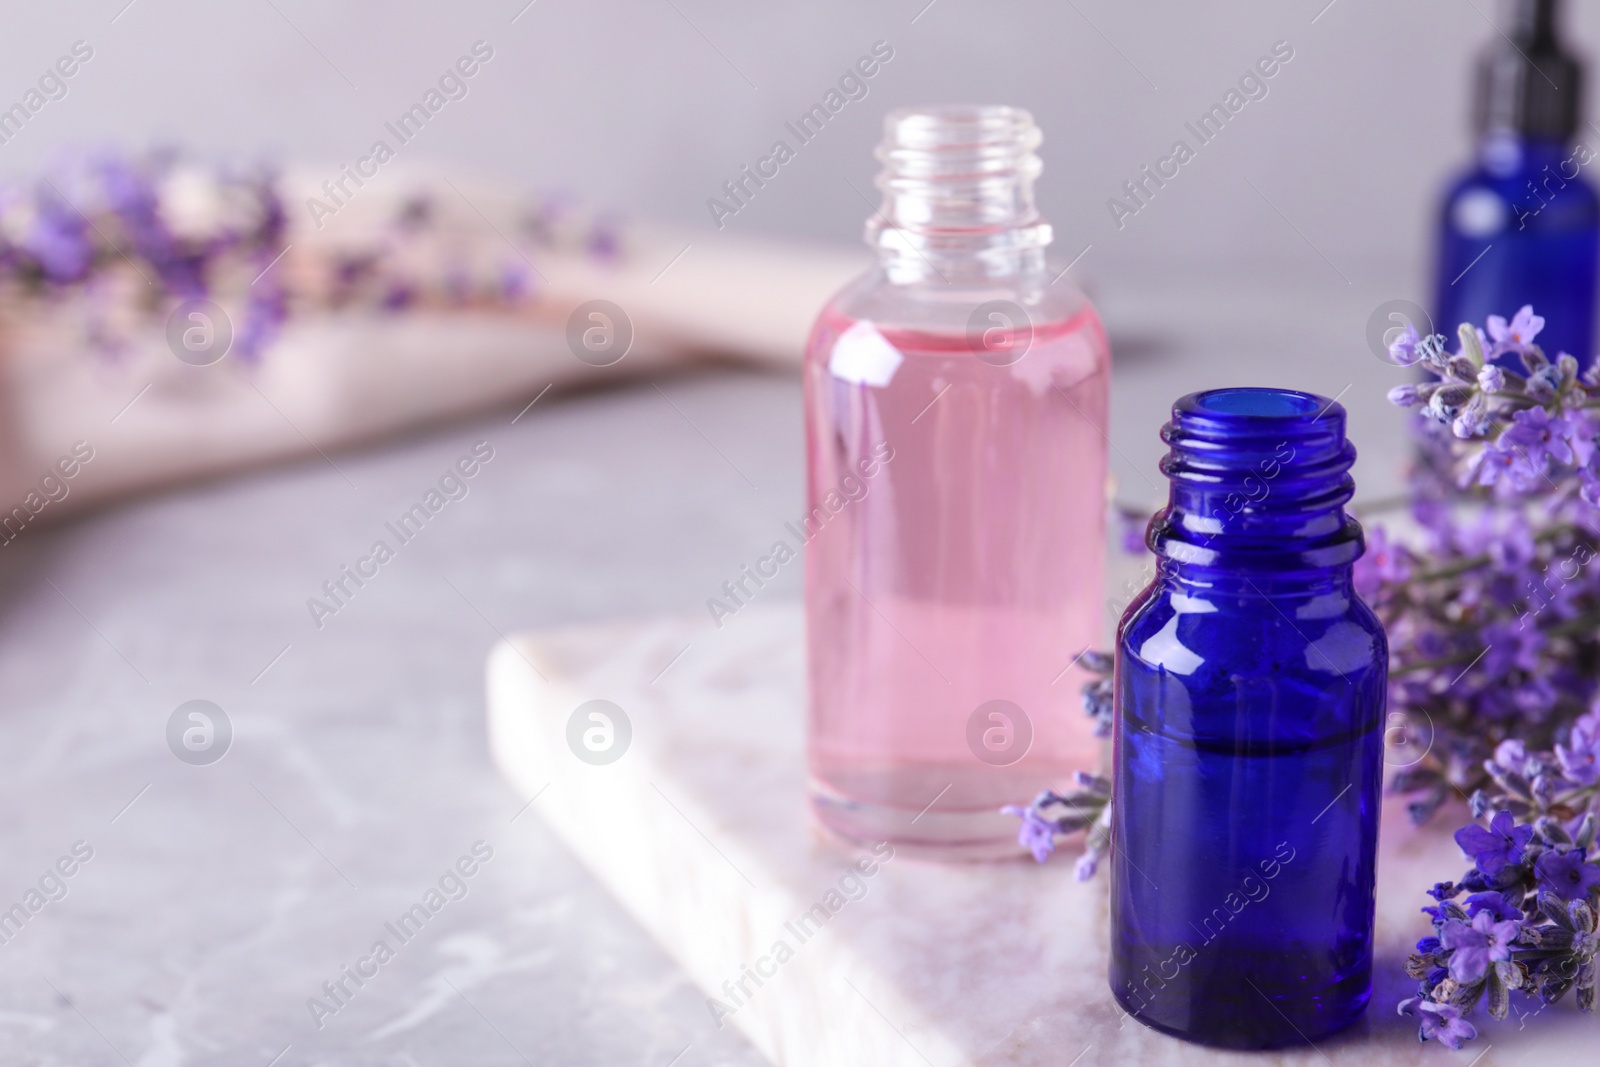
1524	225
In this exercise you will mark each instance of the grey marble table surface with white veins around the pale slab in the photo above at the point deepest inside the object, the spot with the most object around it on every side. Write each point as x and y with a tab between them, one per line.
220	905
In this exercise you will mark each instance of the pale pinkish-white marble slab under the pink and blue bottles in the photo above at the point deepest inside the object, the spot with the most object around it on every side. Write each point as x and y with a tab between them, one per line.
700	831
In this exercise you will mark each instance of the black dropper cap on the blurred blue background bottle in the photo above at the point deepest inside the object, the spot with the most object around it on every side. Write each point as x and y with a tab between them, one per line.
1529	84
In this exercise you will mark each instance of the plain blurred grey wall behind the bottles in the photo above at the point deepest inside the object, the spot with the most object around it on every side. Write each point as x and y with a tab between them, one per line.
650	105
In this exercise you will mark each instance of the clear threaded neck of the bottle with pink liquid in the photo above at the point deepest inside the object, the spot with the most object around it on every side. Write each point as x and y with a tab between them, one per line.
959	194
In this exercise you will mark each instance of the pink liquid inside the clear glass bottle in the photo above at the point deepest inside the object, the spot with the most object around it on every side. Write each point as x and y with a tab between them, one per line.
962	569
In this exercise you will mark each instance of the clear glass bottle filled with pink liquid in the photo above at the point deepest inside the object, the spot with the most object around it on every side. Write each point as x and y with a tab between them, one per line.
956	410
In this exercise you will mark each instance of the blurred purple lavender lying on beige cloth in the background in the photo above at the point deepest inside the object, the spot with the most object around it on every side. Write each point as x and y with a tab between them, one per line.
134	236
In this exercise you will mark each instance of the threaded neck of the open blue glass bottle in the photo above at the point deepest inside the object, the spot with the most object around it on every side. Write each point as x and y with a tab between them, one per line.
1260	479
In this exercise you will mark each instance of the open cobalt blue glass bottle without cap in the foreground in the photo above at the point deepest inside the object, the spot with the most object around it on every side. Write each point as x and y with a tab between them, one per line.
1249	740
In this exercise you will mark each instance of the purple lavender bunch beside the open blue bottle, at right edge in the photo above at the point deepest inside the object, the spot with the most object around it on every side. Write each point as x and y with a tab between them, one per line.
1495	637
